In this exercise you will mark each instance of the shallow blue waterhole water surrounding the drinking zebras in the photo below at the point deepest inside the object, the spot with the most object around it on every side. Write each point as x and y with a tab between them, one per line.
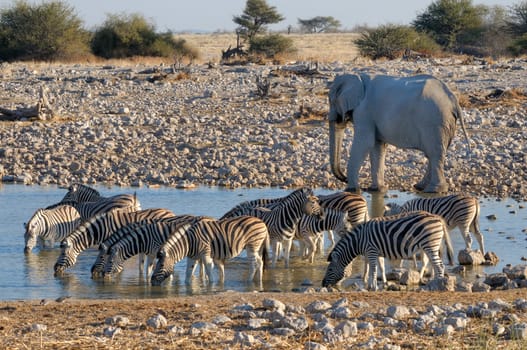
31	276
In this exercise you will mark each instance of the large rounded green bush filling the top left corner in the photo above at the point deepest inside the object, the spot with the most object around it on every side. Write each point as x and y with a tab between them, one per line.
49	31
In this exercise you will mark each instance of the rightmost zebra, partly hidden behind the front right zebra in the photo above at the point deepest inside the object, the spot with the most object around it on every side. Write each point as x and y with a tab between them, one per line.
457	210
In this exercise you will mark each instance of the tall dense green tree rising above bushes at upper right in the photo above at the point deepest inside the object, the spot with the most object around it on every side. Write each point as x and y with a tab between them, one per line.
451	22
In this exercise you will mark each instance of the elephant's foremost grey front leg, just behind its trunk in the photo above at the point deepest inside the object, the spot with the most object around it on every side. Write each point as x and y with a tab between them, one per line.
362	143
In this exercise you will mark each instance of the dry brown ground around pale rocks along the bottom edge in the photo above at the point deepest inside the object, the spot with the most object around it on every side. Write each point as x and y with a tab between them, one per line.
80	324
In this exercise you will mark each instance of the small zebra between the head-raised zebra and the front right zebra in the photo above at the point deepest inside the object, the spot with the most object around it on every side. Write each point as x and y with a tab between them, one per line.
310	229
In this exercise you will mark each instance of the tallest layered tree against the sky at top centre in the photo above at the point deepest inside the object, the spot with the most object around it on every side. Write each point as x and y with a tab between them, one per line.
255	18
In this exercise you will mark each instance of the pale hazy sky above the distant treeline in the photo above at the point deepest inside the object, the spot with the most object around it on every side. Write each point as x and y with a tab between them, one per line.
216	15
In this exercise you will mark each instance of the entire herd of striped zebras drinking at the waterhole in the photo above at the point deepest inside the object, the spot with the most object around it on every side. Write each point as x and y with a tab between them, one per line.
120	229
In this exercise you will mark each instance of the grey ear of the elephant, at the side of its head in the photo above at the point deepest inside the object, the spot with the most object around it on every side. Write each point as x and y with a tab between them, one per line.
346	94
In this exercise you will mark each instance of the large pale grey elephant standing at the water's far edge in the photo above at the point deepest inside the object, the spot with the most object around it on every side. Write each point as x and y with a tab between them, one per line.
418	112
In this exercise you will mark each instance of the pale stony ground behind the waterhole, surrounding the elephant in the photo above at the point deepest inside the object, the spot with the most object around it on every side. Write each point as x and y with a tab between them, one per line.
134	125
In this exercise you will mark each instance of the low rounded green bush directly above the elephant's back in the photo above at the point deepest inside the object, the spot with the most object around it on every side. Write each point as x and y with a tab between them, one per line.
390	41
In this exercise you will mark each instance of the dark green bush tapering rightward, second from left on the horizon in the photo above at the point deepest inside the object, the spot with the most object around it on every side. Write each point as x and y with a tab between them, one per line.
132	35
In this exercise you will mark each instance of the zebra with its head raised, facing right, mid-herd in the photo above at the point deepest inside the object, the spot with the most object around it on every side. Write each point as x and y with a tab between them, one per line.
283	218
